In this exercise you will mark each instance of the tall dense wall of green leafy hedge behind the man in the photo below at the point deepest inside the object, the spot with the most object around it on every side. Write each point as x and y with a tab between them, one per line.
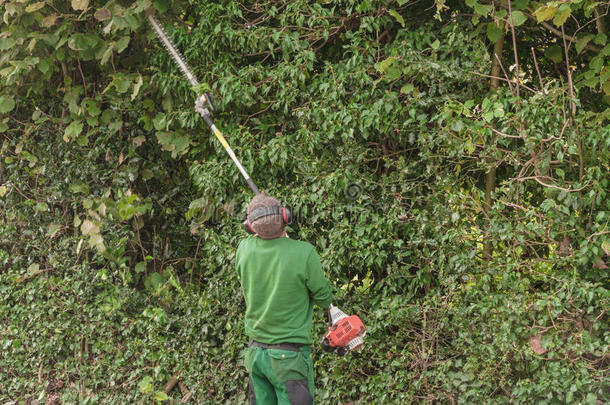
375	122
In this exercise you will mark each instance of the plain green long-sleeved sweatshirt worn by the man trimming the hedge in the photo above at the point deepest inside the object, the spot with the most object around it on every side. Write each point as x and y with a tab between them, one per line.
281	280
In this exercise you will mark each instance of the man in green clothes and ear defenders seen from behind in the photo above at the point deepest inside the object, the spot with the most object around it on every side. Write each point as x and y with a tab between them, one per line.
281	279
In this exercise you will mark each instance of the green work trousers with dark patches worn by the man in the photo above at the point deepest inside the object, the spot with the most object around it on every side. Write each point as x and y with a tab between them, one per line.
281	377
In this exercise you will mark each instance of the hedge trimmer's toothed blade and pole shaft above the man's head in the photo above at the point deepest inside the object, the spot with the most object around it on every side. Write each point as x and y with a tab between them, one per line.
203	105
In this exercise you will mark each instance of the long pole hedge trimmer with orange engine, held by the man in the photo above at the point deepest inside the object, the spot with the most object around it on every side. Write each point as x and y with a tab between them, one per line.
345	333
